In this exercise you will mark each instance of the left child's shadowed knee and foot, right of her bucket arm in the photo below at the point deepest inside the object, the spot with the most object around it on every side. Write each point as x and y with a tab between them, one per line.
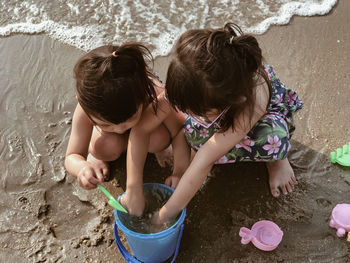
160	140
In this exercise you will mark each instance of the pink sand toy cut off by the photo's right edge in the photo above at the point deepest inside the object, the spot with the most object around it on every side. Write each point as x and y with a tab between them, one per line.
340	219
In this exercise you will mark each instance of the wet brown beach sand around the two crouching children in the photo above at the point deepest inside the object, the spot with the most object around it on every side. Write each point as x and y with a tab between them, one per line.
46	217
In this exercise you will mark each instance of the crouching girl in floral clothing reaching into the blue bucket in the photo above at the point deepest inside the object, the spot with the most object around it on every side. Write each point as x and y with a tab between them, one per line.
237	109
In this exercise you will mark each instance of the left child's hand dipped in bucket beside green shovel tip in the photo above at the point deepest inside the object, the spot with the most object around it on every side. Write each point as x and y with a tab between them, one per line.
134	202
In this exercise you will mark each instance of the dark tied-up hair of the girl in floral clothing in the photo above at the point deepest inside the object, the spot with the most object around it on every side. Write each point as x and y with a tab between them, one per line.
220	68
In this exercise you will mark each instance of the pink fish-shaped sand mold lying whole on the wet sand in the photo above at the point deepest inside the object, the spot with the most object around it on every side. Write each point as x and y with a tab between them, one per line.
264	235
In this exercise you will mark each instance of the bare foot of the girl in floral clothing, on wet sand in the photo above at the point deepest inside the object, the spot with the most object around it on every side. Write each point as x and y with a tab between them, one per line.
281	177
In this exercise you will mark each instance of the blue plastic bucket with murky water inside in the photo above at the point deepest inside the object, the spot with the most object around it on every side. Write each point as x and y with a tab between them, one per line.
149	246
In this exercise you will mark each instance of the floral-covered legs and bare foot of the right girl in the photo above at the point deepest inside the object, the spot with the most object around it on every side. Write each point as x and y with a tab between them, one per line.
268	141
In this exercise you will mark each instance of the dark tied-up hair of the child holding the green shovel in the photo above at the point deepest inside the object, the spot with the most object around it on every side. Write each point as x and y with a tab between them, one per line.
113	81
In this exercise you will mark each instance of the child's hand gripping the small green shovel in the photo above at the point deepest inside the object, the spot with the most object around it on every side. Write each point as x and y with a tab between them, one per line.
90	175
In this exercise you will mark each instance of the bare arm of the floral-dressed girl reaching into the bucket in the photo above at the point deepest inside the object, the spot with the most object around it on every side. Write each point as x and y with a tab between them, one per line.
217	146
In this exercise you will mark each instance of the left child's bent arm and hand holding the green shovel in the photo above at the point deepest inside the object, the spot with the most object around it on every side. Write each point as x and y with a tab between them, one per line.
87	174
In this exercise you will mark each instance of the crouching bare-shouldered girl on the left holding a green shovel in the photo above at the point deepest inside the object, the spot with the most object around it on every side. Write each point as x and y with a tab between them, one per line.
114	86
